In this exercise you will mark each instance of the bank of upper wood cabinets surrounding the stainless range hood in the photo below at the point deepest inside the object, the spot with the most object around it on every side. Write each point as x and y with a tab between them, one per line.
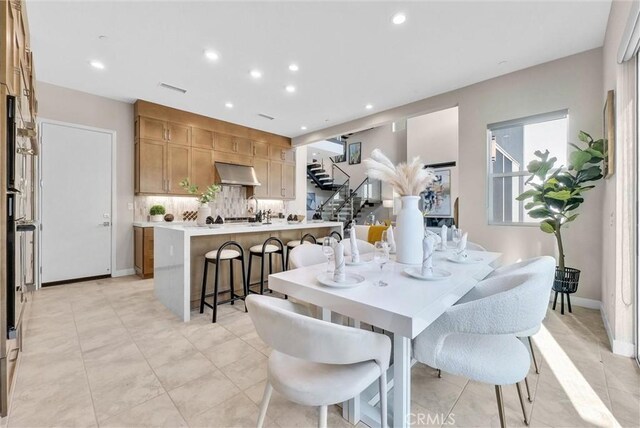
172	145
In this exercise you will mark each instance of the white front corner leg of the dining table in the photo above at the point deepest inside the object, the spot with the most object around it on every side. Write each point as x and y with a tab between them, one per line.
401	380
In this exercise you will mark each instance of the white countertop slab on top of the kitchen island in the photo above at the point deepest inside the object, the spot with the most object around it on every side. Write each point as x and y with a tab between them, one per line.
193	230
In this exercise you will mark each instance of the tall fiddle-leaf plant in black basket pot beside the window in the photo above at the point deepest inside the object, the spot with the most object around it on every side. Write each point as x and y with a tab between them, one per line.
557	193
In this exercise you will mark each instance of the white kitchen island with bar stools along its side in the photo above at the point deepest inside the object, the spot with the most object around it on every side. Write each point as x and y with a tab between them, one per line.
179	256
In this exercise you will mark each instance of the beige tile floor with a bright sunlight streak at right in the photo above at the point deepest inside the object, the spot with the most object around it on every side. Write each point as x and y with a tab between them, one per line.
107	353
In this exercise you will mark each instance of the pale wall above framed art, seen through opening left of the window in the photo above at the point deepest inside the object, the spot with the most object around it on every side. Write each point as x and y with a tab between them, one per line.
434	138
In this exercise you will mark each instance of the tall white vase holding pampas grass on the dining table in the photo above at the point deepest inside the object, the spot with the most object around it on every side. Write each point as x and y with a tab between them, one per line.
409	231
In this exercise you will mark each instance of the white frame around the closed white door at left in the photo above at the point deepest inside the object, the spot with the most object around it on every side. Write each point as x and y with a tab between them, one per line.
113	212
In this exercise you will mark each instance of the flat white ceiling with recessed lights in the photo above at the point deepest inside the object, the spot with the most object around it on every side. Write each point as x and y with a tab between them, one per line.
349	53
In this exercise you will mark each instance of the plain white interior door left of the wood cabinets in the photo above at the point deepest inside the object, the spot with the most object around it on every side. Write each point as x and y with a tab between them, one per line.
76	202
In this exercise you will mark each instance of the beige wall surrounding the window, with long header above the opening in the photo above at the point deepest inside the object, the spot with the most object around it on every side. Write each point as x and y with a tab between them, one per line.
574	83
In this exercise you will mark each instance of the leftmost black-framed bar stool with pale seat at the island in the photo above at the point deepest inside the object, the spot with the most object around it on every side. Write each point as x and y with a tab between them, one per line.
229	251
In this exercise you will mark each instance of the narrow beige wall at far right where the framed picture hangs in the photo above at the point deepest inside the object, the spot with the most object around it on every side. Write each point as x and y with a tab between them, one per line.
618	313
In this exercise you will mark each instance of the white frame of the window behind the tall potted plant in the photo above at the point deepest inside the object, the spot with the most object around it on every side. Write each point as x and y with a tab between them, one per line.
528	120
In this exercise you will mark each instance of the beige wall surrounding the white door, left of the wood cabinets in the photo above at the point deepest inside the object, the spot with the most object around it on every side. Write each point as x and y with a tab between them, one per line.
67	105
